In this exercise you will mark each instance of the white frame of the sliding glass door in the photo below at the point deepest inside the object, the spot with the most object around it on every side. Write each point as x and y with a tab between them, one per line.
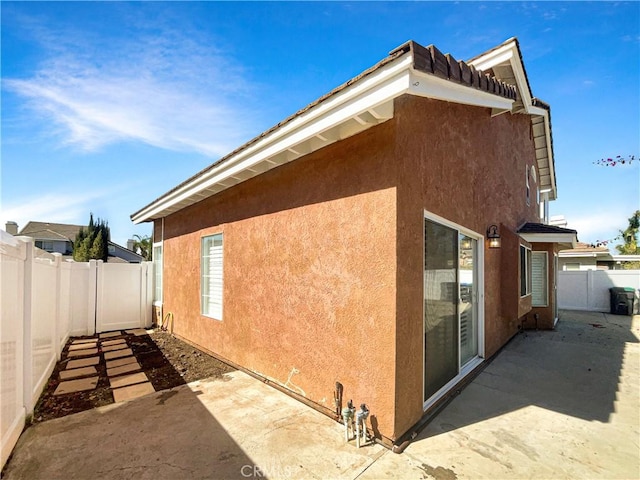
463	370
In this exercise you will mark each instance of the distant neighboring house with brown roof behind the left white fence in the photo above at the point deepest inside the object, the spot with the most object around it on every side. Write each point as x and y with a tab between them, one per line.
59	238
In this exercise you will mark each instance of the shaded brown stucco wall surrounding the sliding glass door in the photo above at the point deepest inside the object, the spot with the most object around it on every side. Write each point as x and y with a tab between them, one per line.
461	164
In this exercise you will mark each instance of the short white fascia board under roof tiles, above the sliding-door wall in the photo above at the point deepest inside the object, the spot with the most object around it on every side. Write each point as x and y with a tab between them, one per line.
427	85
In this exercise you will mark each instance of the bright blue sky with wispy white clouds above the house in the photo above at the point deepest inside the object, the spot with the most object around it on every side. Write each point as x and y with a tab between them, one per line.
106	106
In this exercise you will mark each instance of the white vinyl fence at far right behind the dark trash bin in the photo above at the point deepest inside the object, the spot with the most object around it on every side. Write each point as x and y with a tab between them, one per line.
589	289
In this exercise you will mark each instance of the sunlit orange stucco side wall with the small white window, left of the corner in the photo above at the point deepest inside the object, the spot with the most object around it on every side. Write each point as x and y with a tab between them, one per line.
309	292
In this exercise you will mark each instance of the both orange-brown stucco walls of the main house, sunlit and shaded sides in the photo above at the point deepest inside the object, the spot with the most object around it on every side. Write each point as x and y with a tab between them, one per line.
323	257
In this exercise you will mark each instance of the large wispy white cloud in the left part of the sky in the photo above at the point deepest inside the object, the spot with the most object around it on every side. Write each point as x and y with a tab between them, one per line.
167	90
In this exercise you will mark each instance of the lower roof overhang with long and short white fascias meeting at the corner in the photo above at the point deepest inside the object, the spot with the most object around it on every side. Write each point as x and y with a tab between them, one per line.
360	104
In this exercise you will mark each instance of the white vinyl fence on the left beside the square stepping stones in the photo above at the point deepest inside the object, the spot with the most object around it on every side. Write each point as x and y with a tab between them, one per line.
42	303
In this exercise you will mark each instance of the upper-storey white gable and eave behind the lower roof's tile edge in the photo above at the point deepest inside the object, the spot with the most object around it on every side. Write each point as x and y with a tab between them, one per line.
505	61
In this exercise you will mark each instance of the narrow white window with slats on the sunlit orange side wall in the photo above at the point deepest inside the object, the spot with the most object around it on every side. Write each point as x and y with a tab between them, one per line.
211	276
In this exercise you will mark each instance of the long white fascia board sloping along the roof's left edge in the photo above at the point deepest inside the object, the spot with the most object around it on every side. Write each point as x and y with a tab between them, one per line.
381	86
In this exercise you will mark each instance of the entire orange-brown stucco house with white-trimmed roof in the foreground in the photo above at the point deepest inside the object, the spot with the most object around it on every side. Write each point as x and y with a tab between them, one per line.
353	242
